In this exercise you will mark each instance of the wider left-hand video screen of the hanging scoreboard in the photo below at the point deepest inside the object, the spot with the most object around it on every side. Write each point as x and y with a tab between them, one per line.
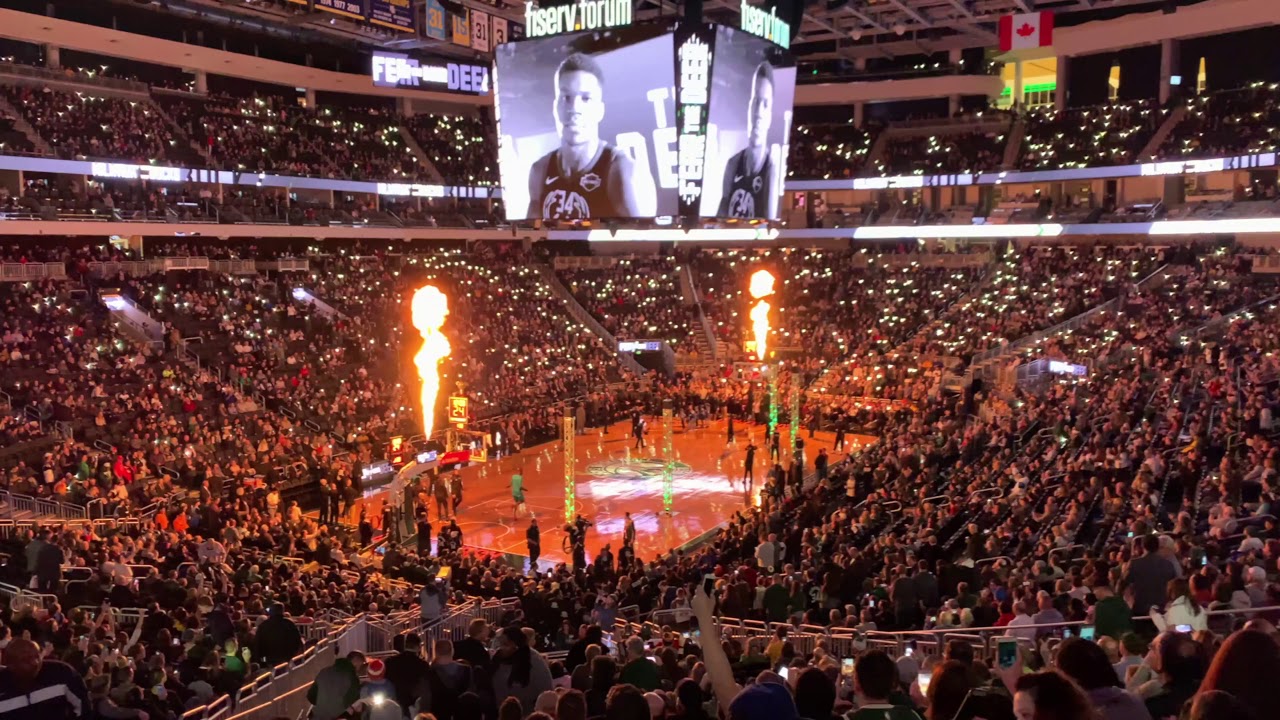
587	125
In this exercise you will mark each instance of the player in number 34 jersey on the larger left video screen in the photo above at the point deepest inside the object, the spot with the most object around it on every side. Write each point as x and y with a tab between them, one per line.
587	177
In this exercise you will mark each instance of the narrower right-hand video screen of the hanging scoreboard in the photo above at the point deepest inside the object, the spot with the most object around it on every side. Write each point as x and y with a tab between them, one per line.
749	127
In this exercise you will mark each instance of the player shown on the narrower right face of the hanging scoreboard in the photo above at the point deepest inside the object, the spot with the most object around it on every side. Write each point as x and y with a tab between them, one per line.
749	175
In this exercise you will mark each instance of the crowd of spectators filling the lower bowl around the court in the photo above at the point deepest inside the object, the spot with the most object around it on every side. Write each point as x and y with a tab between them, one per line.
1150	482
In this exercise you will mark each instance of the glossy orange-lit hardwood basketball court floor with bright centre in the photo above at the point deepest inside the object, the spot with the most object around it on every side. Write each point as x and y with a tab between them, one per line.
615	479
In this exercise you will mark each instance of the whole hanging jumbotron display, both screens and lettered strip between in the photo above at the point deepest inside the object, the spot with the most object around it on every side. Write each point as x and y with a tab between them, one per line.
643	122
